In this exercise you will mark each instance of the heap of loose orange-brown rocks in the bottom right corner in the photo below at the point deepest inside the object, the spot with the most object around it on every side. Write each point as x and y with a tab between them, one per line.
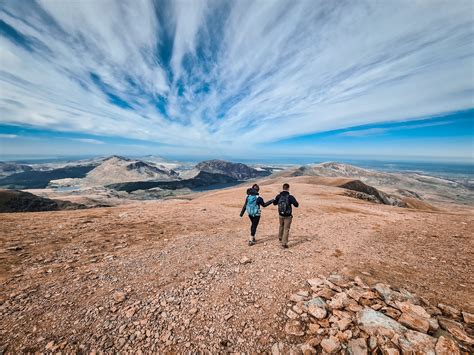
339	315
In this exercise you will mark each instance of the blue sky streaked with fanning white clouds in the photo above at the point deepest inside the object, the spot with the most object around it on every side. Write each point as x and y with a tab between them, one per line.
238	78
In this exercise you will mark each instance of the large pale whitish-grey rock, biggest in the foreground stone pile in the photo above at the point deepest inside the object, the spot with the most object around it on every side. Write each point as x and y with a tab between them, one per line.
374	323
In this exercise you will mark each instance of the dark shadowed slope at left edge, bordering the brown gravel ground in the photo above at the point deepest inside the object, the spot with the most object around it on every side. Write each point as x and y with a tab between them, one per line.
20	201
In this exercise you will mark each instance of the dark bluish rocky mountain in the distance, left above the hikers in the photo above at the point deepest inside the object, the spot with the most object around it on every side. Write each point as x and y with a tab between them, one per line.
238	171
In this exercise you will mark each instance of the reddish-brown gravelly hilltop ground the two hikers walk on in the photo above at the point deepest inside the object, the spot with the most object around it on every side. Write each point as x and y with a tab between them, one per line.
177	275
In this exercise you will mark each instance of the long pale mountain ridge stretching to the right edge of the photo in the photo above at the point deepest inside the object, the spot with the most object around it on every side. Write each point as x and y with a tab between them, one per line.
412	185
